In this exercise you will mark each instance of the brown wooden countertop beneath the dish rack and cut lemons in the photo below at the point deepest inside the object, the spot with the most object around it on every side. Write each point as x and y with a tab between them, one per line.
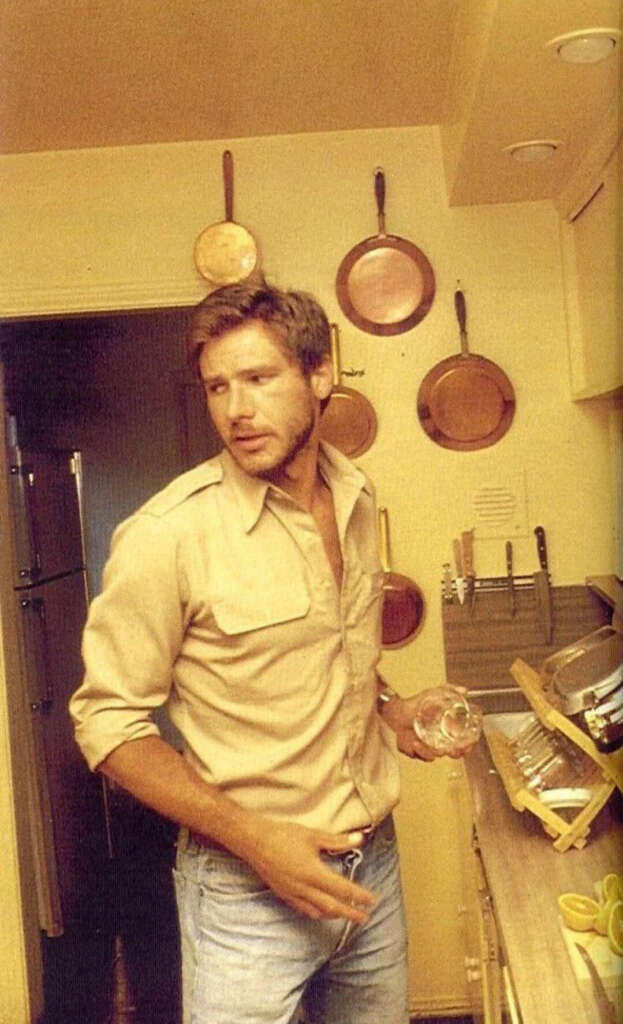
525	876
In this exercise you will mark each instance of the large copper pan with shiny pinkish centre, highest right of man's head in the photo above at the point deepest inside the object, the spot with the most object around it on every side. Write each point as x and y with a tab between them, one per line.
385	285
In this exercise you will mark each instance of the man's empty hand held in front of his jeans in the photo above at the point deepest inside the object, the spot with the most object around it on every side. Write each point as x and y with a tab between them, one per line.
287	858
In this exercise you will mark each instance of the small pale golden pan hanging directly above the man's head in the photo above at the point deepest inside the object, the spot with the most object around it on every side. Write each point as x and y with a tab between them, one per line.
226	253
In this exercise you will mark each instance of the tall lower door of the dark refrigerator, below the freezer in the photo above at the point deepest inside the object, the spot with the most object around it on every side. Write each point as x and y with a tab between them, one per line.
67	808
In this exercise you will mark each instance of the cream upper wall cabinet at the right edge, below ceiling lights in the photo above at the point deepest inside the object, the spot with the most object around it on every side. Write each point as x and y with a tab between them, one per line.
592	241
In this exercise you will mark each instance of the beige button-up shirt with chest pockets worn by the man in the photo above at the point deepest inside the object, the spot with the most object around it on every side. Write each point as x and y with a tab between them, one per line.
220	603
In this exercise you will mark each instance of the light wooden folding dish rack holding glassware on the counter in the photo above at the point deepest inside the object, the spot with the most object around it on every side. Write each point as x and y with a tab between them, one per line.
604	773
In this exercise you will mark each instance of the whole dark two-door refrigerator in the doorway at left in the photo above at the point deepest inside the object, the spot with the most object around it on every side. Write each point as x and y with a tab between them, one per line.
68	804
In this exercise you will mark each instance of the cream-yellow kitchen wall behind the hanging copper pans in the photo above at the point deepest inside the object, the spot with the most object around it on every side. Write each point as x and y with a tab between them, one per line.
114	229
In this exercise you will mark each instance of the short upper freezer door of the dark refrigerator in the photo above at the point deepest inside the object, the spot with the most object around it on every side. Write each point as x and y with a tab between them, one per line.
48	521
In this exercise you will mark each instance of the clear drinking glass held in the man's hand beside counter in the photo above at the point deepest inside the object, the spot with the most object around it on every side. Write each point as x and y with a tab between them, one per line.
446	721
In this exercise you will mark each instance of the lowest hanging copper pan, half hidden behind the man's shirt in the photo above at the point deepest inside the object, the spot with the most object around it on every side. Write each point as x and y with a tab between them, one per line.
403	609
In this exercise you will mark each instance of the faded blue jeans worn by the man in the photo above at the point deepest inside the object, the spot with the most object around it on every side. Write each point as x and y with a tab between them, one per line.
250	959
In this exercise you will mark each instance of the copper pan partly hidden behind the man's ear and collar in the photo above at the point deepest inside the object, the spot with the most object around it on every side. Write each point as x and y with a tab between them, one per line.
349	421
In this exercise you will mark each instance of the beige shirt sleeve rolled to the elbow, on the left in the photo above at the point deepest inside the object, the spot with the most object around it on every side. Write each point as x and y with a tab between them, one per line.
132	639
